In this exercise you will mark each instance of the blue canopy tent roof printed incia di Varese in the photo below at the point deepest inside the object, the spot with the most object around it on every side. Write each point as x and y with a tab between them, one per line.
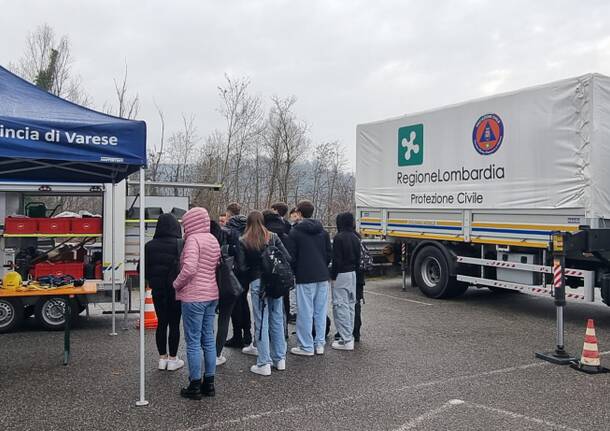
45	138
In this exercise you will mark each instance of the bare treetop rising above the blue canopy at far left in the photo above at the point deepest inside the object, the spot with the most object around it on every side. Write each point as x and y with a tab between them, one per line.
47	62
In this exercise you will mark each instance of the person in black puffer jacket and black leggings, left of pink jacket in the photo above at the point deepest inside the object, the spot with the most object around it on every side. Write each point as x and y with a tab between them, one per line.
162	262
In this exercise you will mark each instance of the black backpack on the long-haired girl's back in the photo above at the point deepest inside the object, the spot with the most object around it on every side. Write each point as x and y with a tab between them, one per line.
277	277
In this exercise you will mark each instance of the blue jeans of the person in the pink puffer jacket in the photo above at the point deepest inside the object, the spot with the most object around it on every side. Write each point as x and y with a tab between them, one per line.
198	321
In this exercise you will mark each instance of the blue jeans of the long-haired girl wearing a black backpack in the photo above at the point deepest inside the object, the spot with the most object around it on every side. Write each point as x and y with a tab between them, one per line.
268	314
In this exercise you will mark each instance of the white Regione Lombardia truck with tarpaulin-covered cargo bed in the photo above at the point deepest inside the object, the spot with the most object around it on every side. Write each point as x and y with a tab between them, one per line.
482	193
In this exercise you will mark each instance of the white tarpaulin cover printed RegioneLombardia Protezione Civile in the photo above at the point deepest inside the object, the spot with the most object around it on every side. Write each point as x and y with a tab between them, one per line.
545	147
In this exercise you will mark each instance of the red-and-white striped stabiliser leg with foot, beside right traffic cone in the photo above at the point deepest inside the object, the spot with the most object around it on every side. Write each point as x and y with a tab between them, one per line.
559	355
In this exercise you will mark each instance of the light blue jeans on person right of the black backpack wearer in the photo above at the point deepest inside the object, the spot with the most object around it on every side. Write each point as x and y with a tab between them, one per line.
312	303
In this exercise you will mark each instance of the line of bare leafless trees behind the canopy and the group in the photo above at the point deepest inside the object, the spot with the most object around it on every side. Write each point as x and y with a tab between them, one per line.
263	152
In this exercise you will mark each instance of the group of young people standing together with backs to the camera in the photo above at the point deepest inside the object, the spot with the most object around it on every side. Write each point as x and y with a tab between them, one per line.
182	274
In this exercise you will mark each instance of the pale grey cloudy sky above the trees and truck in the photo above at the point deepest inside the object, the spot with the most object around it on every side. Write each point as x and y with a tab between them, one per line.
348	62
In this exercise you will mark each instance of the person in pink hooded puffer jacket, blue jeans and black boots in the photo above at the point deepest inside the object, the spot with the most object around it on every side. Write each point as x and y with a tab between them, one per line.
197	289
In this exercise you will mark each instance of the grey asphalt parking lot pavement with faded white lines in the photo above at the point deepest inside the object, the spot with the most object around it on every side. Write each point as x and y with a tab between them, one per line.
422	364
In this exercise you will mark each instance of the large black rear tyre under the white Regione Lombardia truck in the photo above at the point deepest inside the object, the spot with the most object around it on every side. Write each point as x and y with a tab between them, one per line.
431	272
